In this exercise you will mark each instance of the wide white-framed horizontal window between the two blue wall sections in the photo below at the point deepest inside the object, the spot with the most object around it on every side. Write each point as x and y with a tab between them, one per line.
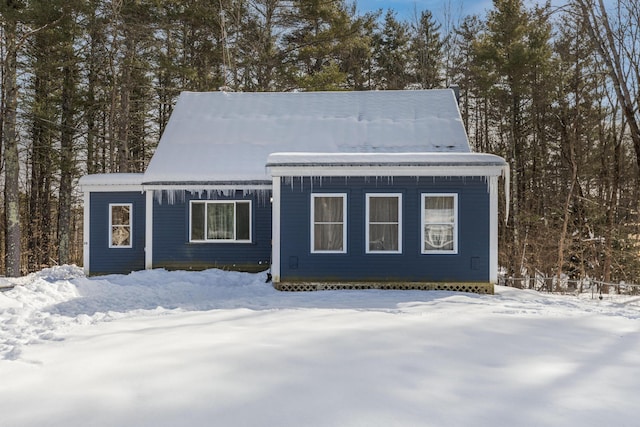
220	221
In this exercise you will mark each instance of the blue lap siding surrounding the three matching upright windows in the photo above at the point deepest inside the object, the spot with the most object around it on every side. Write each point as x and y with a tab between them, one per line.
470	264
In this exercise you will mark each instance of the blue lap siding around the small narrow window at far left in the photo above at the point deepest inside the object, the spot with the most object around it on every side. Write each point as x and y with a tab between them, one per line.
105	260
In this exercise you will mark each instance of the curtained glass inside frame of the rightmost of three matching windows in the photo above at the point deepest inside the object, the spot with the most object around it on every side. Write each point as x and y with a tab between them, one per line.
439	220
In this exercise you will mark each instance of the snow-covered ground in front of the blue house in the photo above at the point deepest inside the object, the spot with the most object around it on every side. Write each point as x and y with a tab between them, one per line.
213	348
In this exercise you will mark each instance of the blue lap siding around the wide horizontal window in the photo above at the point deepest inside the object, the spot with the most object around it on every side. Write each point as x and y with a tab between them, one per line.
172	249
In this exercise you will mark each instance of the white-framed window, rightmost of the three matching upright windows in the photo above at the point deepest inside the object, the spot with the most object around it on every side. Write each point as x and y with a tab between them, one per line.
440	223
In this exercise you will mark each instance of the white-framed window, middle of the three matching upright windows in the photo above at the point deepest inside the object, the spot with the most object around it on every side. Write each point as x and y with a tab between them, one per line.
384	229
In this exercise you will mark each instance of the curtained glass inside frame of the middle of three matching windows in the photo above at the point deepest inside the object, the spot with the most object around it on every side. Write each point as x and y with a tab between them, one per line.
383	223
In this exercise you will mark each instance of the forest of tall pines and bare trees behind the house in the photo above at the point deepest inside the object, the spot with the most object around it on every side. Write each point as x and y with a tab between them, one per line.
87	86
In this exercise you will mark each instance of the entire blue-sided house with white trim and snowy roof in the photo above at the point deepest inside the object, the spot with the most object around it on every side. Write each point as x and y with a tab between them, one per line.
324	190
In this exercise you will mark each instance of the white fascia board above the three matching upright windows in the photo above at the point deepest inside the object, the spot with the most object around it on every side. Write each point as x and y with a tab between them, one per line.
398	170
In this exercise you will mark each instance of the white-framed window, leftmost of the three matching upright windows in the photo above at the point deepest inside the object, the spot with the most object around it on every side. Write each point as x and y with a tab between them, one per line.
328	227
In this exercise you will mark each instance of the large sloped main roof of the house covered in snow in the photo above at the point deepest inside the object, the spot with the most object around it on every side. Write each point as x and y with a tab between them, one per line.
227	137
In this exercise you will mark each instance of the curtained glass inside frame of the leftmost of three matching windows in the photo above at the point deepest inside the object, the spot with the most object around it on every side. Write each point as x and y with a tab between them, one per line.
328	224
